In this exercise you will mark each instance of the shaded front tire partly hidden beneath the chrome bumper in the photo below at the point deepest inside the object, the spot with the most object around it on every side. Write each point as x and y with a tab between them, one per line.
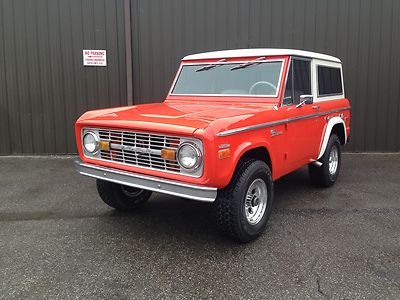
122	197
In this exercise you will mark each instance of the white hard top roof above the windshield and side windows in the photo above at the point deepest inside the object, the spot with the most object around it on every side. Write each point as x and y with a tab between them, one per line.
259	52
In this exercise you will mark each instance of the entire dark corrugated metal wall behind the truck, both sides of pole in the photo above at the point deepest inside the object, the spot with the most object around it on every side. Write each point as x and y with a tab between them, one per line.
44	86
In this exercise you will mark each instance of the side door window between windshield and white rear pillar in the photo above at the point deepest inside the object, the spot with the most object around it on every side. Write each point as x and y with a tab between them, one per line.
298	82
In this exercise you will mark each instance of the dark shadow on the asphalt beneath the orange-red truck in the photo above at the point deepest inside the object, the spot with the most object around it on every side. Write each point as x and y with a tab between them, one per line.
177	219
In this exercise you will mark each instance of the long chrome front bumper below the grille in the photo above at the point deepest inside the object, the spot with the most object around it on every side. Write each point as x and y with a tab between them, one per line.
146	182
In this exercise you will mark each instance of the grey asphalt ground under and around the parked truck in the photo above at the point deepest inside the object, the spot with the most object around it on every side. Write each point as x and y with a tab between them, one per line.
59	241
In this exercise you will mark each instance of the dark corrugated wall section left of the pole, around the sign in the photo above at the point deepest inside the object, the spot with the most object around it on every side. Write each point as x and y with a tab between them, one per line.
43	84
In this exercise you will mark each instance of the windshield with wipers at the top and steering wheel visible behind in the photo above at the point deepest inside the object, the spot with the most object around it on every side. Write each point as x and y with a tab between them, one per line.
251	78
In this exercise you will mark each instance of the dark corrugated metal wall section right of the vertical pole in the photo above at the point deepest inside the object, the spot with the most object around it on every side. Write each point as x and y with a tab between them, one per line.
365	34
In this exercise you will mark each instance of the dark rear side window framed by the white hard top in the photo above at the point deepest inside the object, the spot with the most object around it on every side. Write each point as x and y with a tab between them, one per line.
329	81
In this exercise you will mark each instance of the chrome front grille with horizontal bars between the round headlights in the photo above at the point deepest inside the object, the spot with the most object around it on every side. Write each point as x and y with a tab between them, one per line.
139	149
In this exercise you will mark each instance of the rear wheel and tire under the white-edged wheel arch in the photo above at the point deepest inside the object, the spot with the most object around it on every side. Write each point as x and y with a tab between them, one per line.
327	174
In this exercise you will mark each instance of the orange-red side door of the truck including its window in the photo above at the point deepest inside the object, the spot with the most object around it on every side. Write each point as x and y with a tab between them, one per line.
303	119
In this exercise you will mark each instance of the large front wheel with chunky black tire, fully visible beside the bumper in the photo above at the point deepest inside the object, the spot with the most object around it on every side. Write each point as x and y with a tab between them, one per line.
244	206
